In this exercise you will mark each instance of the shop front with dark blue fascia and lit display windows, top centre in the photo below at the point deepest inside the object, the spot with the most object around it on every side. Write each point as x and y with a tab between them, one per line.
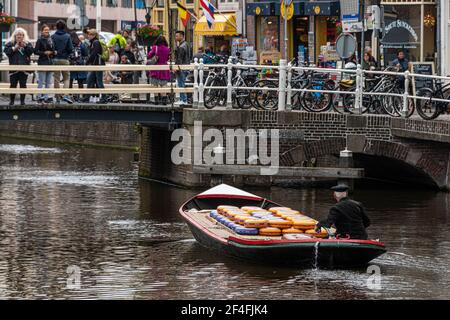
313	26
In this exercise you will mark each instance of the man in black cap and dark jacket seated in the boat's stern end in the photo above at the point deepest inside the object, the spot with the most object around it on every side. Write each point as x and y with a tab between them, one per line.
347	216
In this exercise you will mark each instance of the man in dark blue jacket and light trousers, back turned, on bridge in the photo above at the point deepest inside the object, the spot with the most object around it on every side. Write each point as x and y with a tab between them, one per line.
63	49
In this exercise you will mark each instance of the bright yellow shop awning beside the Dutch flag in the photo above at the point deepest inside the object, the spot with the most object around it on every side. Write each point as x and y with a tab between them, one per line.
224	25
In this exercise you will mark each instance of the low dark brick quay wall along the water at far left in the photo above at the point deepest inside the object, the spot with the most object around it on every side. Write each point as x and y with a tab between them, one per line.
122	135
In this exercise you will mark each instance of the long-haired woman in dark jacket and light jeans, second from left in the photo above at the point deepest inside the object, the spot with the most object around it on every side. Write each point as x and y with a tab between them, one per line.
45	50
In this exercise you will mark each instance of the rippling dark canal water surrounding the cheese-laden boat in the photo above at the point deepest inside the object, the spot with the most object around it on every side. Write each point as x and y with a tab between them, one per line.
77	223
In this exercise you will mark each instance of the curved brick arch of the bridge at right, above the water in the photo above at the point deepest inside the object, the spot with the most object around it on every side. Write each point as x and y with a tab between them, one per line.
427	162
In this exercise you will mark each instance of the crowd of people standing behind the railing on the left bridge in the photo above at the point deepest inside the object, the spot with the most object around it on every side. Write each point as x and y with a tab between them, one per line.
64	48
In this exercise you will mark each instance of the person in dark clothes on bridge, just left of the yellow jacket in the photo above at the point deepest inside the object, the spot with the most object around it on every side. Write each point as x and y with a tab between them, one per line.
98	54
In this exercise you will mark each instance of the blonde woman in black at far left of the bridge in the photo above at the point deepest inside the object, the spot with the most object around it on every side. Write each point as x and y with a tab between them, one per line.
19	50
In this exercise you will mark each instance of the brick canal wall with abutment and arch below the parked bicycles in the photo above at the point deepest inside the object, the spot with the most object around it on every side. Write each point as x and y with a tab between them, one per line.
404	150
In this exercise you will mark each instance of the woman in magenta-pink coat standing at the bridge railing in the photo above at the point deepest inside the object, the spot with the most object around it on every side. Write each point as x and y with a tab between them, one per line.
161	77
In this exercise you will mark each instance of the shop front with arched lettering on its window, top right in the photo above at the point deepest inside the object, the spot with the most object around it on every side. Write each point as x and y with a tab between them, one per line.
412	28
